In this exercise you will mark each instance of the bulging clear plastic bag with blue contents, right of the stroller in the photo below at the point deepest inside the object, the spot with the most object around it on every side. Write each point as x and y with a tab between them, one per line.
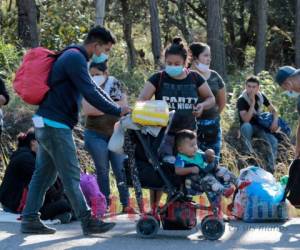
261	200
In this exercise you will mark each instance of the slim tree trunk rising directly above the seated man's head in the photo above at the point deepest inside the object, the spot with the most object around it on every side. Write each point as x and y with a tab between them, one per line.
261	35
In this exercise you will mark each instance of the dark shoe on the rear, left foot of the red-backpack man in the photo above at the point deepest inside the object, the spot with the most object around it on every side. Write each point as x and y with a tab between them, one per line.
35	226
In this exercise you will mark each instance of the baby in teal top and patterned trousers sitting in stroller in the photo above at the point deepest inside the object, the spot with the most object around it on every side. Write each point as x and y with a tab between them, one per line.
202	169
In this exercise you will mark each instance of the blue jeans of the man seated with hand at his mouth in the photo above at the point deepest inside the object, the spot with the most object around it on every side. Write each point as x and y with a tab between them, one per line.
248	131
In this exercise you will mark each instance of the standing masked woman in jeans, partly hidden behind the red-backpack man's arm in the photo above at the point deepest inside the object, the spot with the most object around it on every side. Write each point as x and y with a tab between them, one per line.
99	129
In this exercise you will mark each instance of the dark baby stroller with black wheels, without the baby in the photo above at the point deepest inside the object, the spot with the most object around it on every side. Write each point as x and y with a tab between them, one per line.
143	169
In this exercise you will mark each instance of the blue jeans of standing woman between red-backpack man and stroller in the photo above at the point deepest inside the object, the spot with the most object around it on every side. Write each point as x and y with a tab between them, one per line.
97	145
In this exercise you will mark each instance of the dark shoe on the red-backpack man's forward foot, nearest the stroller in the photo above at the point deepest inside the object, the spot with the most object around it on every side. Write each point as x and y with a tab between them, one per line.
96	226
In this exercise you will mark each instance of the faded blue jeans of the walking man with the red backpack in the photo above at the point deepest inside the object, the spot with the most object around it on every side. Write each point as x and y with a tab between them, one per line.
56	155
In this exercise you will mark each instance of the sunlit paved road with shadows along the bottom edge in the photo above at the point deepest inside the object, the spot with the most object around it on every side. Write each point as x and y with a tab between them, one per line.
238	235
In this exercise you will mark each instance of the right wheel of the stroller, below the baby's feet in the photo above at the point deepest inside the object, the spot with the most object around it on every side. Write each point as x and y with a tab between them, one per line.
212	227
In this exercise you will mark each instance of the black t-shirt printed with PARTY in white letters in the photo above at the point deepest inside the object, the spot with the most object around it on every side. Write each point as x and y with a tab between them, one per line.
181	96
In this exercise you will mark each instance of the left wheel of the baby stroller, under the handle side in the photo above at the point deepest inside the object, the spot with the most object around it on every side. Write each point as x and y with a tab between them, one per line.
147	227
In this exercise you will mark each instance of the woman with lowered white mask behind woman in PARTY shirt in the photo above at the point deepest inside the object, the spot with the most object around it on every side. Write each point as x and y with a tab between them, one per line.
209	130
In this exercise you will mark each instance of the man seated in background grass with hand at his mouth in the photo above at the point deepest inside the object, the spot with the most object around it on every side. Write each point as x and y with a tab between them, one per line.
250	105
